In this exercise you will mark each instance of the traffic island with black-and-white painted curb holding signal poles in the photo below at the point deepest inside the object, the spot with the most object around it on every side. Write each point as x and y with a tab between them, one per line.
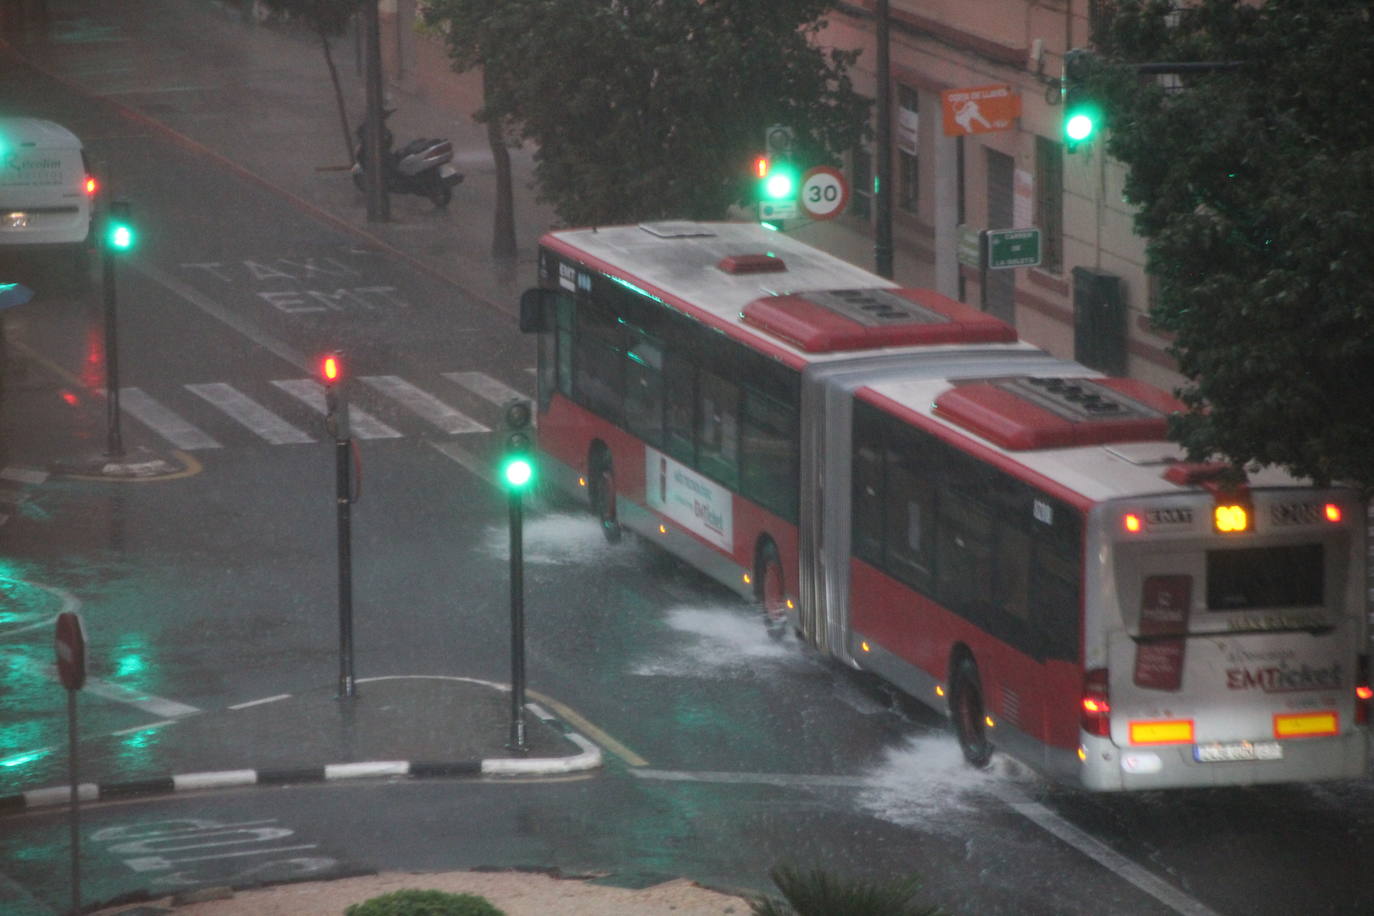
396	727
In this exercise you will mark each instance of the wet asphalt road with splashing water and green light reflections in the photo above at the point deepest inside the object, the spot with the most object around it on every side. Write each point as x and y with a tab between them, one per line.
728	752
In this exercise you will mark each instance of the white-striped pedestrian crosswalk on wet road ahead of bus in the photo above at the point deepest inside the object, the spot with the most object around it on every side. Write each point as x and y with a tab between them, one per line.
211	415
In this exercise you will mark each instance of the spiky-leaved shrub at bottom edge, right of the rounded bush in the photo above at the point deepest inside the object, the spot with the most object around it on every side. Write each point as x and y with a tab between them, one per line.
821	893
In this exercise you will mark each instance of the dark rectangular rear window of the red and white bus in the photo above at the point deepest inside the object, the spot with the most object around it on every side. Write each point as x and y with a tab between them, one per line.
1259	577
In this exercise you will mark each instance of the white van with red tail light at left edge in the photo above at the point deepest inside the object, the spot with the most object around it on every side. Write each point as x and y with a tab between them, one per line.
46	186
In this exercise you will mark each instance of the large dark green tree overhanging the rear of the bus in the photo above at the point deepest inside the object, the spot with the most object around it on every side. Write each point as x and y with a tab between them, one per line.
1255	189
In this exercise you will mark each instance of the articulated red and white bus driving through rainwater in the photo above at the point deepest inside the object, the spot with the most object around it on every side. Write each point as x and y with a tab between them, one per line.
1001	534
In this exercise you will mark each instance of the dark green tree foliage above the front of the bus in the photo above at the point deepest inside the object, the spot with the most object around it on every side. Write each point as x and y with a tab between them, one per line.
652	109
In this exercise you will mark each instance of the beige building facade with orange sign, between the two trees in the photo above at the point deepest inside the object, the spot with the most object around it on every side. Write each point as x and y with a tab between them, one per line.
1090	296
